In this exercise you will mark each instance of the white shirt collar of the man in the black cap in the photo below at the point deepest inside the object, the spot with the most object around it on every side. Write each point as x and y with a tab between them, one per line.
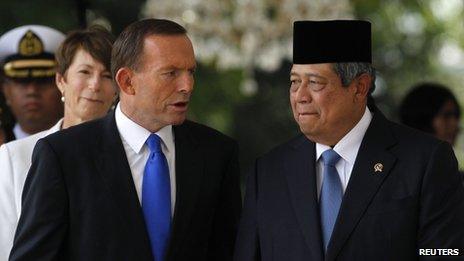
349	145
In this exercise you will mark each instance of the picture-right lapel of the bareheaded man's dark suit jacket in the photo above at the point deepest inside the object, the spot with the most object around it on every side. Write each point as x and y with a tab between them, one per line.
189	174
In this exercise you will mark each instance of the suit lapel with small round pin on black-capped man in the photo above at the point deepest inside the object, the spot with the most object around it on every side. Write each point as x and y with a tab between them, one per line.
366	178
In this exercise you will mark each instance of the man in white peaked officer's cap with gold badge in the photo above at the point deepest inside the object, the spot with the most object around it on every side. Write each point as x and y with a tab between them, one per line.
28	64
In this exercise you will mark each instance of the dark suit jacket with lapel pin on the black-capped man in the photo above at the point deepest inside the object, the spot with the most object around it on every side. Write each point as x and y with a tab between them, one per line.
416	201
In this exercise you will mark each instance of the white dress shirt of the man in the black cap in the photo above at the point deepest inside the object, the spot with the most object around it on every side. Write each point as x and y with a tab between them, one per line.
347	148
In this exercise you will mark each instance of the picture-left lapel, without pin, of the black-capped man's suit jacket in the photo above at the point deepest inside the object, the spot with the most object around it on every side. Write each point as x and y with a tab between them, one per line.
301	179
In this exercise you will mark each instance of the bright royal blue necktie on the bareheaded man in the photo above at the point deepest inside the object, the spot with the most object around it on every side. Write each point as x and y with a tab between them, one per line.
156	198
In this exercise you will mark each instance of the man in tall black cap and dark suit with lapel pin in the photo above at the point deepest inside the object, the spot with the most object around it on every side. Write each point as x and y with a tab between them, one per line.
354	186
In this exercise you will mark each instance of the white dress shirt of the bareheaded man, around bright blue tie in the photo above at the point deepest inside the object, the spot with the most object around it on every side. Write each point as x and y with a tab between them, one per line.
133	138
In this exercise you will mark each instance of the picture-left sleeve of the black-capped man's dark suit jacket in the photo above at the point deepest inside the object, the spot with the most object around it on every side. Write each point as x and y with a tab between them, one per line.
247	245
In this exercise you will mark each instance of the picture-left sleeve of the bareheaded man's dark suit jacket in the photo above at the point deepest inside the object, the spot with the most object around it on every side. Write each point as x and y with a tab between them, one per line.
43	222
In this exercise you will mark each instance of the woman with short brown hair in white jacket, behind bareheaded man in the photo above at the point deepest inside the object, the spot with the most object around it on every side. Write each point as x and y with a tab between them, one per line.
84	80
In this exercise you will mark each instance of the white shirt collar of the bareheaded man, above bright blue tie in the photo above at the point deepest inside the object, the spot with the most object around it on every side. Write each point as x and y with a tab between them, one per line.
136	135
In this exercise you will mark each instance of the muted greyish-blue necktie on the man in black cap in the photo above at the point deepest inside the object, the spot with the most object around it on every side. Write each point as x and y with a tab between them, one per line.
331	195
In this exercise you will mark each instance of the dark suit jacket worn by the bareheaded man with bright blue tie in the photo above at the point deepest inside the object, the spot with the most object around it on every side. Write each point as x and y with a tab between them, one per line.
80	203
